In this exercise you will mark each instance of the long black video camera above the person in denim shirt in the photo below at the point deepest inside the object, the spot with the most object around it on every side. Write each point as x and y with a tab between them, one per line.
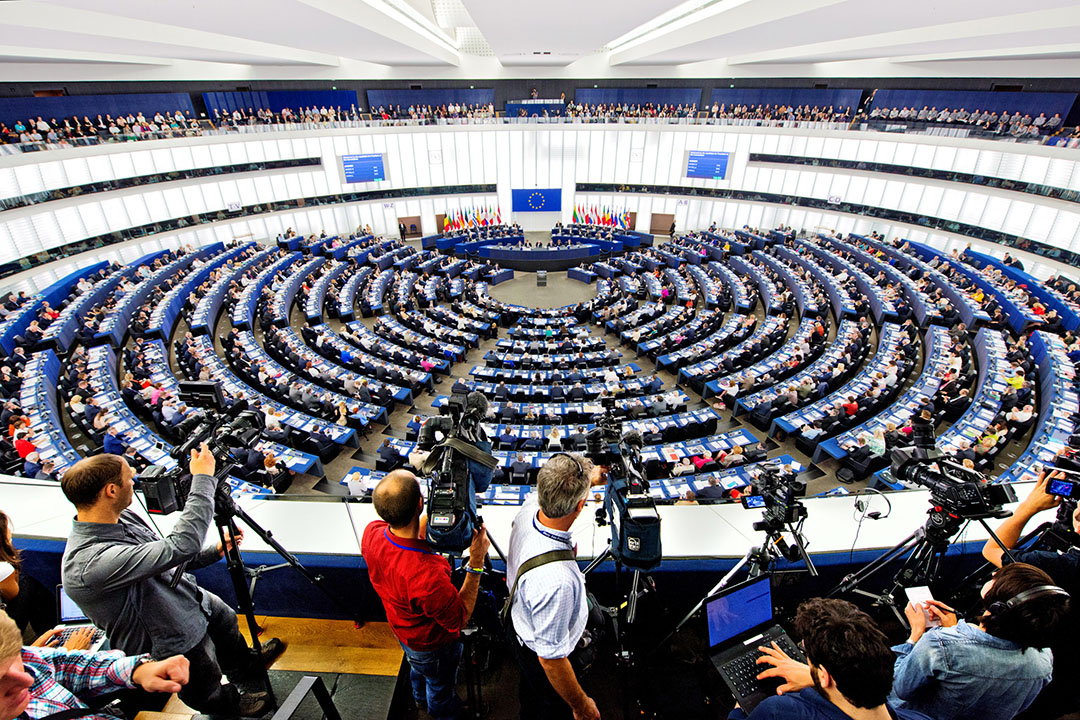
956	490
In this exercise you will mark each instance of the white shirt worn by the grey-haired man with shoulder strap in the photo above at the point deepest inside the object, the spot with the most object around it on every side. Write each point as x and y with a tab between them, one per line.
550	608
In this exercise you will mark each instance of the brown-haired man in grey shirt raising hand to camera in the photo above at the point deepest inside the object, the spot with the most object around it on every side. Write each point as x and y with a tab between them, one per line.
117	569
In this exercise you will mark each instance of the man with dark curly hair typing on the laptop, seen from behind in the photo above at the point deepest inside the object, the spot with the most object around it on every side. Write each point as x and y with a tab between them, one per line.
848	673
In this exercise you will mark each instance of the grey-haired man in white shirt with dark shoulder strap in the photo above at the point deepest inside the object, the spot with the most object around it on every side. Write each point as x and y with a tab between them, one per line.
549	607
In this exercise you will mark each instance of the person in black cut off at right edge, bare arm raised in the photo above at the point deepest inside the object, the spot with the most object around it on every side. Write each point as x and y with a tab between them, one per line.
1061	697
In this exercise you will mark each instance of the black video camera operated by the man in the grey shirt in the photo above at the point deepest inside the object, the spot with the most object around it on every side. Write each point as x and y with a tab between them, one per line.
222	429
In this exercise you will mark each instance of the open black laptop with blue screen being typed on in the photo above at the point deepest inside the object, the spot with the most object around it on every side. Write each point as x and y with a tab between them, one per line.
740	621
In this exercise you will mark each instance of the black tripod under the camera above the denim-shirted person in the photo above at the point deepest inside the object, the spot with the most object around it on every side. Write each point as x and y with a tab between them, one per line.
926	548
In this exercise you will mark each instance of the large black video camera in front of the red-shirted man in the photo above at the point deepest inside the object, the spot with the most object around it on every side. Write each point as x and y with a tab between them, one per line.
461	467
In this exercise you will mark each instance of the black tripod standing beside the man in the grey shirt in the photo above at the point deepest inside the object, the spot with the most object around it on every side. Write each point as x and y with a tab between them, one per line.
226	514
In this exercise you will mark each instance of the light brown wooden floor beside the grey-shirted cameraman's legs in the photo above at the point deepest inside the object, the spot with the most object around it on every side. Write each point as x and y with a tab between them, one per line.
317	646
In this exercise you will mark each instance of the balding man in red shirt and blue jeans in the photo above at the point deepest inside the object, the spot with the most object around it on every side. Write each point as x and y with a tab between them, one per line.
424	609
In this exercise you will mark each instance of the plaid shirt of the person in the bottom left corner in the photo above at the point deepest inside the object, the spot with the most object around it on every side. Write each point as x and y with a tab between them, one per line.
63	677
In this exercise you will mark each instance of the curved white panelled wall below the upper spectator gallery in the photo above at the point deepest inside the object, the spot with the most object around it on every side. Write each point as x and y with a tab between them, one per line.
546	157
